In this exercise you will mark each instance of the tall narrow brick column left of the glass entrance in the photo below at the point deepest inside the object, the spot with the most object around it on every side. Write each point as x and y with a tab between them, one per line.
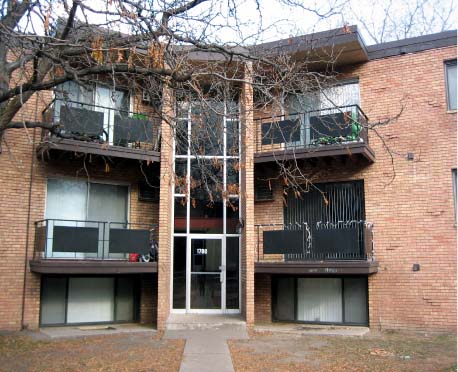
165	211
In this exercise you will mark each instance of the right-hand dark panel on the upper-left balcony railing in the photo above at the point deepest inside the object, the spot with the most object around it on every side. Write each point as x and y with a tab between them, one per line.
128	130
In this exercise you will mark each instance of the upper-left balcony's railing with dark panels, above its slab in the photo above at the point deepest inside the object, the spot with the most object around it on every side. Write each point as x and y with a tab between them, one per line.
105	125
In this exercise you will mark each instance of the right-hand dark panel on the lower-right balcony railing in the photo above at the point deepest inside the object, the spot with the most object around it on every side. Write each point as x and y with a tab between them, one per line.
337	242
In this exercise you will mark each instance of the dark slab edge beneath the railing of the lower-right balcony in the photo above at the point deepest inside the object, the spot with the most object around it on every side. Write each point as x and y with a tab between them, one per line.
317	267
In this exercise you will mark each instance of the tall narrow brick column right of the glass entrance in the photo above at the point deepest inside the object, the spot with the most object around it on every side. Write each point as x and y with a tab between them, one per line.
247	199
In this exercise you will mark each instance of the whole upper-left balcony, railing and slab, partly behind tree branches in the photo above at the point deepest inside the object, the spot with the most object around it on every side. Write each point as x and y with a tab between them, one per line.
99	130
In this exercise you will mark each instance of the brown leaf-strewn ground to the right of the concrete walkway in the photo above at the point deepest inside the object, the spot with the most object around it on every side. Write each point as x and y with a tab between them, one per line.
373	352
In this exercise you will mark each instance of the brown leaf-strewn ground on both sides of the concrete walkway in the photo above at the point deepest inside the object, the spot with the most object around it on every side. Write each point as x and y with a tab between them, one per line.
266	352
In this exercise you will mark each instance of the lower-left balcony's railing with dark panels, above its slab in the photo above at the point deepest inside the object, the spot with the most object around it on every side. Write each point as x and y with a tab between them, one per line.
94	240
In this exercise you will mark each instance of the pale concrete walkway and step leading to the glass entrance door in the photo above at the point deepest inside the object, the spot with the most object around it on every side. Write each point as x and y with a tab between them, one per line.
206	348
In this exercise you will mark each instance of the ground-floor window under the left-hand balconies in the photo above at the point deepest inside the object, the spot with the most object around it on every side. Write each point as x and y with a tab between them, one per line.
78	300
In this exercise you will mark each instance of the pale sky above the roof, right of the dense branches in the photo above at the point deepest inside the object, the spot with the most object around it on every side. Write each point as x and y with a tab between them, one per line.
381	20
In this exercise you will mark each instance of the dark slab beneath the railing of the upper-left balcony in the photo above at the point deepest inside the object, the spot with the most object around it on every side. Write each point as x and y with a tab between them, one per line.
52	145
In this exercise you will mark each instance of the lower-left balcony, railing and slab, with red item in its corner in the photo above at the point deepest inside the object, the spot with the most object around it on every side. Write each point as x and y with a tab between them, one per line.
94	247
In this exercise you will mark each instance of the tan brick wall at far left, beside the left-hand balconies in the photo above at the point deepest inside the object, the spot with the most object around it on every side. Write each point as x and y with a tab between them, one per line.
15	175
